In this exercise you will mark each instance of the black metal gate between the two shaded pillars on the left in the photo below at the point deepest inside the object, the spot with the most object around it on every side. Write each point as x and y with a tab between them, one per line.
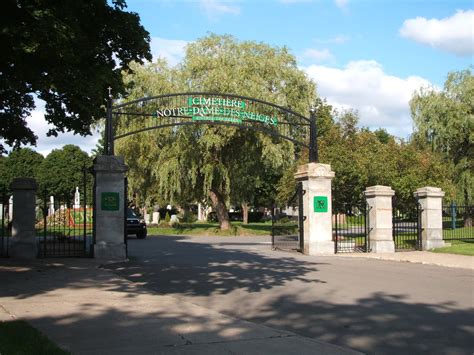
65	224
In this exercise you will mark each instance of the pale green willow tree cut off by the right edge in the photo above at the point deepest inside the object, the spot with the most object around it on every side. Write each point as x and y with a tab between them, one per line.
445	121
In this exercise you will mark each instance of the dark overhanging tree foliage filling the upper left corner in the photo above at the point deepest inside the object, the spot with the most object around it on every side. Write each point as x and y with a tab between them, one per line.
67	53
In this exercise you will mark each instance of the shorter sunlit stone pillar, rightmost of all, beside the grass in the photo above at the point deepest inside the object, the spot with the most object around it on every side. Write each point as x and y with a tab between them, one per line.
430	199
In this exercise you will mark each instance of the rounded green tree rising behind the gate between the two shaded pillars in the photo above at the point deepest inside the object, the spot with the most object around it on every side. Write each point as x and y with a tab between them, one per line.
62	171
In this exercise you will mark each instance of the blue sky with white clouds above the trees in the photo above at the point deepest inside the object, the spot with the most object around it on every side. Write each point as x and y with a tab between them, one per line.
365	55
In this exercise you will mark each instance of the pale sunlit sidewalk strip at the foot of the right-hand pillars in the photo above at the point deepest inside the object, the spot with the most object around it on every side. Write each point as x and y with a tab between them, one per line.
420	257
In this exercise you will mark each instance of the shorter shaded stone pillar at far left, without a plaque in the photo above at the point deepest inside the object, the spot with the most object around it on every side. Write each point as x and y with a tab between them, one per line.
23	241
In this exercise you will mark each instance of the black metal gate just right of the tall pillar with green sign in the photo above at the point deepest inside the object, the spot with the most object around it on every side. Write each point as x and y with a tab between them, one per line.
351	228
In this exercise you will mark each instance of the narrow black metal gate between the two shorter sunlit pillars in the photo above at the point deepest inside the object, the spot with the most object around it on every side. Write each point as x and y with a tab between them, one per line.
406	229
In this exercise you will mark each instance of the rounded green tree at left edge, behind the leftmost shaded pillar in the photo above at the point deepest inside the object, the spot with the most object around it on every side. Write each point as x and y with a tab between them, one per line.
23	162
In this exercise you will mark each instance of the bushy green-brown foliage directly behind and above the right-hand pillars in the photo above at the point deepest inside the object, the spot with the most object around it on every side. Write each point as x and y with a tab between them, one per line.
360	159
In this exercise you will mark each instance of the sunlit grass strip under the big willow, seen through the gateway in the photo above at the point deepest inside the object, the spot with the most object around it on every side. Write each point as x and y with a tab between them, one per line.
236	229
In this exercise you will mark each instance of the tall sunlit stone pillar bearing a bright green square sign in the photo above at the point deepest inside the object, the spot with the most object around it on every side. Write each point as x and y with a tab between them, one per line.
317	207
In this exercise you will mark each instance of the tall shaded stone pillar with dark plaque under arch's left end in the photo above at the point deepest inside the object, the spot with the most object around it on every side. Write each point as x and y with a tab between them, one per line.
110	196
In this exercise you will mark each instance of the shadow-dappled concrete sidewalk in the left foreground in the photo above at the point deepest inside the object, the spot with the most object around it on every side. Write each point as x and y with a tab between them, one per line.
88	310
